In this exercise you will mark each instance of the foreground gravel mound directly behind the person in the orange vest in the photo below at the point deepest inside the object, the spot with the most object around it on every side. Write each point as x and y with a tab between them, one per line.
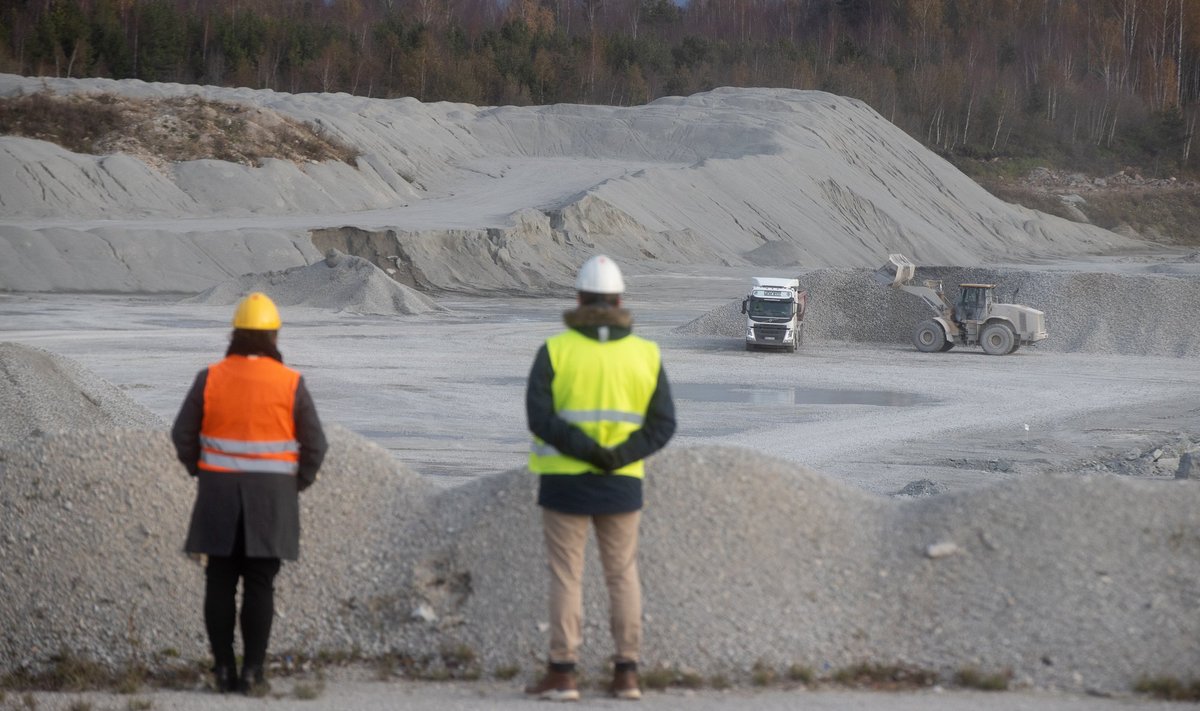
104	515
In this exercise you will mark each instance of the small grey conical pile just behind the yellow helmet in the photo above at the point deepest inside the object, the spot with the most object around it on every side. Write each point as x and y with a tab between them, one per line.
339	283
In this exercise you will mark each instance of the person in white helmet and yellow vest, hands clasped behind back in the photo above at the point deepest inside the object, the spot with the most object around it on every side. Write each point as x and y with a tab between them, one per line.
598	403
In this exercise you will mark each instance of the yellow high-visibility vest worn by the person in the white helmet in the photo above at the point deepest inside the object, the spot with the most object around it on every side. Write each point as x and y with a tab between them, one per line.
605	390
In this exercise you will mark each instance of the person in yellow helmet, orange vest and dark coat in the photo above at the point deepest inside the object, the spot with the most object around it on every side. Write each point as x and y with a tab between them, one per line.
249	432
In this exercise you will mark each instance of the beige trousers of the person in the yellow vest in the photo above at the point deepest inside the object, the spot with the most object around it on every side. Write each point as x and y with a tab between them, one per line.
567	535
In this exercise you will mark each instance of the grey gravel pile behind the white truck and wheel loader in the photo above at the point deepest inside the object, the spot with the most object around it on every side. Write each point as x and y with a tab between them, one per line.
1093	313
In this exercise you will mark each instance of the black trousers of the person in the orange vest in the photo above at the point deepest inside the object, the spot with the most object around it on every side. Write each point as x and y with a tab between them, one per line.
257	605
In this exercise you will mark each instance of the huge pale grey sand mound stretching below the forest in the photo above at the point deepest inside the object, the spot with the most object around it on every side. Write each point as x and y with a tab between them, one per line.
507	196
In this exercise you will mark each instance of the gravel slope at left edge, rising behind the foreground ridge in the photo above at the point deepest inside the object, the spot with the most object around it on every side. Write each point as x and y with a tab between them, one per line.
41	392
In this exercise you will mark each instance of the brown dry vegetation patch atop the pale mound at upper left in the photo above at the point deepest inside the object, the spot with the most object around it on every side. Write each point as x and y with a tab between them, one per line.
161	132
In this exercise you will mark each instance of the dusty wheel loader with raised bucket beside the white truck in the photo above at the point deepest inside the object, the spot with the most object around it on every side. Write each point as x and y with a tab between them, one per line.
975	318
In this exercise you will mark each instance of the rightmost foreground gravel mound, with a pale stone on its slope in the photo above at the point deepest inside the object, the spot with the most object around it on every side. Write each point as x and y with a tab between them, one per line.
1078	582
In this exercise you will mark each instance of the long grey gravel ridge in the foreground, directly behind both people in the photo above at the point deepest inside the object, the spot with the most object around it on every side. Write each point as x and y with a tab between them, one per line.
1072	582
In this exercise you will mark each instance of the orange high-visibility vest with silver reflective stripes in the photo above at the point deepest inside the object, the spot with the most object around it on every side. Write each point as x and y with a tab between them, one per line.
249	417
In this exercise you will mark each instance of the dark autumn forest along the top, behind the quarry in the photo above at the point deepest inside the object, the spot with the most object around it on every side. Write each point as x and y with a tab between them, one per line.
1089	85
